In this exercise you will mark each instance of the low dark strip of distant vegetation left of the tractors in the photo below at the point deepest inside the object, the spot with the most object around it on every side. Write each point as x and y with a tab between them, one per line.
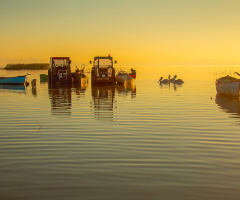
33	66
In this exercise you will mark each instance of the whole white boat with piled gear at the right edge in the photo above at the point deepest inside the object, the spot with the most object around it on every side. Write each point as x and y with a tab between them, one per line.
228	85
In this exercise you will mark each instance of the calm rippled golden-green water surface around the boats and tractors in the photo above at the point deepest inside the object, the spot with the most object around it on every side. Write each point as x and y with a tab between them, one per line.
146	141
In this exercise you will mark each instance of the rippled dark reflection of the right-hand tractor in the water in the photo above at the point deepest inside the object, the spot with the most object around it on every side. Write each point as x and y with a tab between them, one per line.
103	102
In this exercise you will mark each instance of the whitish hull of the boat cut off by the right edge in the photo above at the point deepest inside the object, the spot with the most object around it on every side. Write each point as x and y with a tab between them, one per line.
230	88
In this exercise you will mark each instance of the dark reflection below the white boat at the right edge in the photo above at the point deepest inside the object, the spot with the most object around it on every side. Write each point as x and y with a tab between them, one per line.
229	105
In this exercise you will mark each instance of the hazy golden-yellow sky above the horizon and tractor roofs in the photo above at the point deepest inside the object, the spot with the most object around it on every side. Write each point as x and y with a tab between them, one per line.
132	31
